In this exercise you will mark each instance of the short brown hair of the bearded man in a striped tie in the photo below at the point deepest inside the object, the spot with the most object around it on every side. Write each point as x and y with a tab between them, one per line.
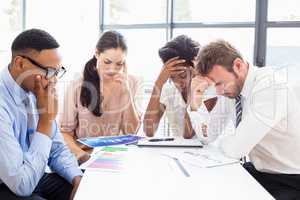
217	52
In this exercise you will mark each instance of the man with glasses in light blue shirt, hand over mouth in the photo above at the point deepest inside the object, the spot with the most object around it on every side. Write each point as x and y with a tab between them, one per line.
29	138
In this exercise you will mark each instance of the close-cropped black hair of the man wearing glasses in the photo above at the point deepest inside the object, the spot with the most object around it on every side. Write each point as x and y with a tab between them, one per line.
33	39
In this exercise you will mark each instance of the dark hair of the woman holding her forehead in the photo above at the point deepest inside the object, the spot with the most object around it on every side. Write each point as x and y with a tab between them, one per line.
183	47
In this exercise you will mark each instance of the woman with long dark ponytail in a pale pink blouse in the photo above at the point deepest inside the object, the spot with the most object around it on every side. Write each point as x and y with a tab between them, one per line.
103	101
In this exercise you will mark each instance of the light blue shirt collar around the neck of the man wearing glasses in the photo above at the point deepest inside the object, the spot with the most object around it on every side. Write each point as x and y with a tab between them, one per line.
17	93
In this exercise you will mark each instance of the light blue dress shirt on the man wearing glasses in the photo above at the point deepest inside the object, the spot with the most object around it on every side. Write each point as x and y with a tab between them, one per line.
24	152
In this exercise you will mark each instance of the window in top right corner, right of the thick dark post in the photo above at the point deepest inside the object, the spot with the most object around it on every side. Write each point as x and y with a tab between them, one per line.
283	43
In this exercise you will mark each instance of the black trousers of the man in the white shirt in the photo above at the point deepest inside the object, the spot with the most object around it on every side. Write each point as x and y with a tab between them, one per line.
280	186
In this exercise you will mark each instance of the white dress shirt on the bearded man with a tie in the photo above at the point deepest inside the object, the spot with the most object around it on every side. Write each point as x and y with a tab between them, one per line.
269	131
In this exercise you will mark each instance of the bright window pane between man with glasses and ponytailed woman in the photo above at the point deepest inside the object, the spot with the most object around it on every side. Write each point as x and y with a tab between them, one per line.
73	23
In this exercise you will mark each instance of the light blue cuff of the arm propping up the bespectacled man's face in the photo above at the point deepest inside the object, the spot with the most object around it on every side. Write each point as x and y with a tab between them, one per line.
41	143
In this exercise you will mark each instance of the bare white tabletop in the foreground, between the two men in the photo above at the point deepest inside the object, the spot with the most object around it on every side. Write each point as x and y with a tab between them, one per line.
225	182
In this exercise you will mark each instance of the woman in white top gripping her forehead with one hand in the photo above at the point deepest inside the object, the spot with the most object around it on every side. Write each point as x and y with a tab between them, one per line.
172	97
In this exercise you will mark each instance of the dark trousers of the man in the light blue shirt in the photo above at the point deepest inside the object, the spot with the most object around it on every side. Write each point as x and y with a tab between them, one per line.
50	187
